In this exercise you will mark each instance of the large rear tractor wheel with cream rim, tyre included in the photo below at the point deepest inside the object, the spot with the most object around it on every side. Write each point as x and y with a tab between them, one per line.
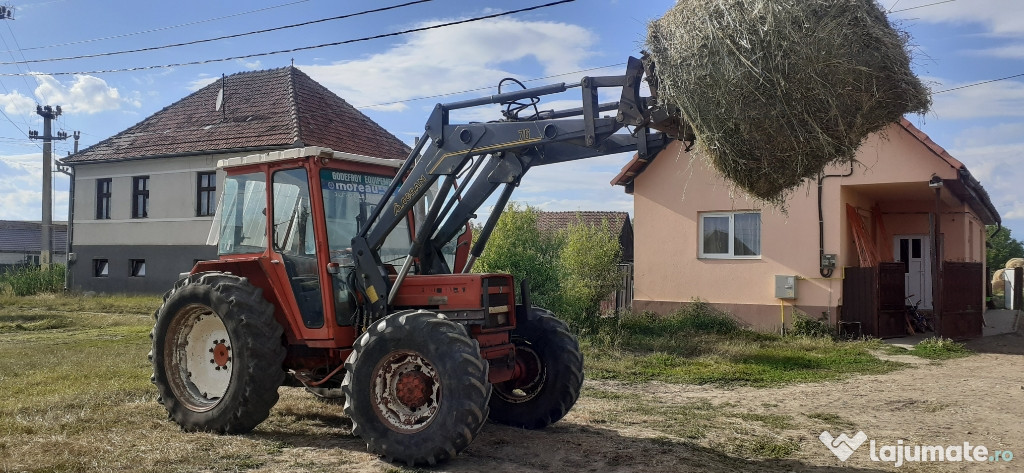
218	355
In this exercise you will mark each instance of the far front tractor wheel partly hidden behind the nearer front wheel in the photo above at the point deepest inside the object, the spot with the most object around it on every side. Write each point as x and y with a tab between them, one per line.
550	374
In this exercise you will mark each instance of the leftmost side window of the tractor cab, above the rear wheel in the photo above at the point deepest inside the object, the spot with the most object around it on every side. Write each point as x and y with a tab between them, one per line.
240	226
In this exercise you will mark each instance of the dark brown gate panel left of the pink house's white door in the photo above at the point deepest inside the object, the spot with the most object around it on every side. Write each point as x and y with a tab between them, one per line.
873	297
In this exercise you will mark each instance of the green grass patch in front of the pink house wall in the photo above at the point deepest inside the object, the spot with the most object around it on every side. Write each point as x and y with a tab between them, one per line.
703	347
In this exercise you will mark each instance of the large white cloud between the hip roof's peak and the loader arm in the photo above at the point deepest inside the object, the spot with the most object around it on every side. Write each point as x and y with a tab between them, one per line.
455	59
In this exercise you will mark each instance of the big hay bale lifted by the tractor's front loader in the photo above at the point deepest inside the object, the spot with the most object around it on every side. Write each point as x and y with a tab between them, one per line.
776	91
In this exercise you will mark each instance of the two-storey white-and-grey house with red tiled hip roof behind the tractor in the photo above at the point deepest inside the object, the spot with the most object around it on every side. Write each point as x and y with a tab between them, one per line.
144	199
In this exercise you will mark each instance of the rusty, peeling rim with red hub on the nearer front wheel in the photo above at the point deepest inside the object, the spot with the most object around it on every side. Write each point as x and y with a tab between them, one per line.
407	392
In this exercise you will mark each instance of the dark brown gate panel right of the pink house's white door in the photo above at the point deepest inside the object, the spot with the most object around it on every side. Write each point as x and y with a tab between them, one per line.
963	299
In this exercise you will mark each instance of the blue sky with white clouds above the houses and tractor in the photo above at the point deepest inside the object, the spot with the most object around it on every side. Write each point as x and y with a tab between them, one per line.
957	44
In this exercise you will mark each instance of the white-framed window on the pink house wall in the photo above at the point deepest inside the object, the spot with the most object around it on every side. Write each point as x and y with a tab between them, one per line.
731	235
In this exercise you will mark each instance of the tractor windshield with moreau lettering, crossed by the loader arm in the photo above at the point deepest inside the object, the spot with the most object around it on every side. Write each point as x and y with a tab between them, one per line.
350	199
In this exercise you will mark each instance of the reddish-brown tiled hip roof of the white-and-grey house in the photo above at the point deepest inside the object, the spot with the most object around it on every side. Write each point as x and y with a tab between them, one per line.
279	108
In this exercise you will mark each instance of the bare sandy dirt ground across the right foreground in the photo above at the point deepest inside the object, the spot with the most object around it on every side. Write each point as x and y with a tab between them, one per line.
979	400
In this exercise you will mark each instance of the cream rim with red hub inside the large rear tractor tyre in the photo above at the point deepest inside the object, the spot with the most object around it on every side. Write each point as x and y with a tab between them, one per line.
201	359
